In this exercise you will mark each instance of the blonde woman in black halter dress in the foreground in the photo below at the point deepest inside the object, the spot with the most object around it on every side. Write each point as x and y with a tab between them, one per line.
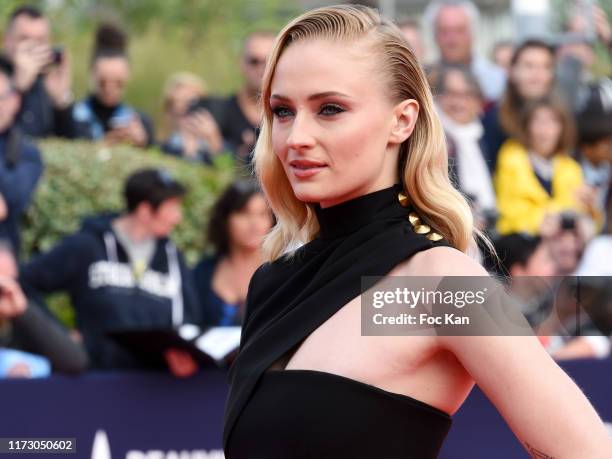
349	137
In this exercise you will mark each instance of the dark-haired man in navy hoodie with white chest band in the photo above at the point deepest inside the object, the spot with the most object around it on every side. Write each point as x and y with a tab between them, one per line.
122	271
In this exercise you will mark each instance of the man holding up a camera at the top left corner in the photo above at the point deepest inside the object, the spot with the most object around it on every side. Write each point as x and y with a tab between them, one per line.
41	74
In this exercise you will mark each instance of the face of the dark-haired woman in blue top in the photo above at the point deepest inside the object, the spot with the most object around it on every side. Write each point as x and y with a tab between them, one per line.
248	226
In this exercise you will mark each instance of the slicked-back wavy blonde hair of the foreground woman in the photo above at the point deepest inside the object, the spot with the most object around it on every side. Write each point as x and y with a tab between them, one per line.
423	162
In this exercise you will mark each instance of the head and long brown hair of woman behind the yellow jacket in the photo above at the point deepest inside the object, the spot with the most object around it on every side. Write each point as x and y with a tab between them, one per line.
531	76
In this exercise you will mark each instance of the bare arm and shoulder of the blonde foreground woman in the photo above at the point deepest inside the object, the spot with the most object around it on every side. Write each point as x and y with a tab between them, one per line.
540	403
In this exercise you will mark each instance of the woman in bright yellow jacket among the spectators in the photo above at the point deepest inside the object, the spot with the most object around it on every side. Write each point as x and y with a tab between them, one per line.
535	175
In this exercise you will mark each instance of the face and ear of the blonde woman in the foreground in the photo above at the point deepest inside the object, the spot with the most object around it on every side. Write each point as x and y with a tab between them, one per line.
334	128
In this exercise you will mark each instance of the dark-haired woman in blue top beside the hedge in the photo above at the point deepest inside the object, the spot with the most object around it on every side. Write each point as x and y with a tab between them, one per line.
239	220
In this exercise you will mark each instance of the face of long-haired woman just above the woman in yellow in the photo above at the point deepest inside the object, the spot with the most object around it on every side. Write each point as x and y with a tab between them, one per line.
533	73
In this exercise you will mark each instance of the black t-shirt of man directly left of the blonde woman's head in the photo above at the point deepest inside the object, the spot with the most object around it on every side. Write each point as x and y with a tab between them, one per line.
237	131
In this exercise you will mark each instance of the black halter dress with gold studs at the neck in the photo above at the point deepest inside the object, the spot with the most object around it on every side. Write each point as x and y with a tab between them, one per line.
289	414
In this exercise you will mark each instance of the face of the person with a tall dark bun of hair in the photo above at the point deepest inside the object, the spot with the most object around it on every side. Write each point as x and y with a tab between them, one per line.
110	77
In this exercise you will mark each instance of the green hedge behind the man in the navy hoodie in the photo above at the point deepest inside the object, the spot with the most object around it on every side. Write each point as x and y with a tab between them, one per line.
83	179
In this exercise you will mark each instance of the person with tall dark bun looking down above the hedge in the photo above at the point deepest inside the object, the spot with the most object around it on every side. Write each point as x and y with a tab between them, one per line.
103	115
